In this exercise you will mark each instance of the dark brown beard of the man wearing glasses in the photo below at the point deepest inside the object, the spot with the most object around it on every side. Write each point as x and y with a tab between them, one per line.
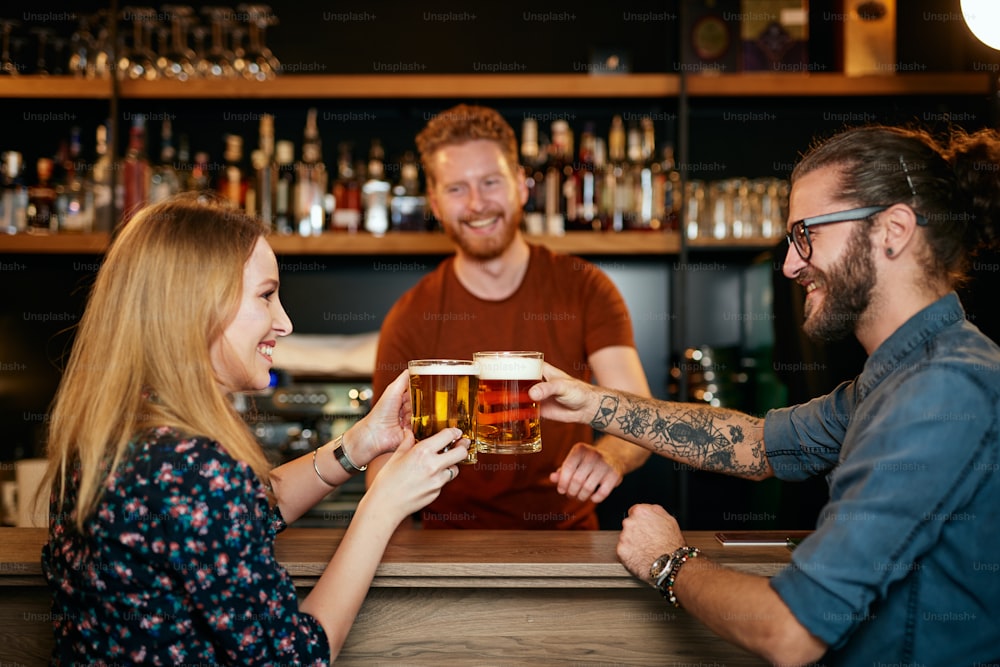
847	291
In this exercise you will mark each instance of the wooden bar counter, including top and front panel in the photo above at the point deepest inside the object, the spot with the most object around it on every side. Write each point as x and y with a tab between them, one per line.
458	598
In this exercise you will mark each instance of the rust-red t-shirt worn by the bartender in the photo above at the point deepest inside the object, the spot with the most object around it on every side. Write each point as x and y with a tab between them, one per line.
566	308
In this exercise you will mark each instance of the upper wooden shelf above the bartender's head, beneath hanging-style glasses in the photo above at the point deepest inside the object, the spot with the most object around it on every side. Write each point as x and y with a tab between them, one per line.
410	86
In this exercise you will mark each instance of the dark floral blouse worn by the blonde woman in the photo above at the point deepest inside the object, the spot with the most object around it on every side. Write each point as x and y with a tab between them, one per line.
176	566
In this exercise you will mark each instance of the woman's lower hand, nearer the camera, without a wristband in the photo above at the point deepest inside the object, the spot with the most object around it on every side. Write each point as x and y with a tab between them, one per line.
416	472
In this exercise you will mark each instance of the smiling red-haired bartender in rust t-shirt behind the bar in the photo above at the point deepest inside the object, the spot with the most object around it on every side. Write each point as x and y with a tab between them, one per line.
498	292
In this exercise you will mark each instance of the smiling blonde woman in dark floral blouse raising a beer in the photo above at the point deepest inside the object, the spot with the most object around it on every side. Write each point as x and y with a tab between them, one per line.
164	509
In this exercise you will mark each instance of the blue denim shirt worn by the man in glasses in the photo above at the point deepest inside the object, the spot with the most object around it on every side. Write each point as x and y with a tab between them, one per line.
904	565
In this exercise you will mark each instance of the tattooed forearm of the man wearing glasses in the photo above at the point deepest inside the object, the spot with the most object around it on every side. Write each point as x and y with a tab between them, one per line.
706	438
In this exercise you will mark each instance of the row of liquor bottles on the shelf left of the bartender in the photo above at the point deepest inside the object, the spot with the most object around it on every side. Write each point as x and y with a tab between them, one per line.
71	195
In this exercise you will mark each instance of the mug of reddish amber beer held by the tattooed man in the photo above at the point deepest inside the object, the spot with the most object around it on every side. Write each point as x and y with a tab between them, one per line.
507	420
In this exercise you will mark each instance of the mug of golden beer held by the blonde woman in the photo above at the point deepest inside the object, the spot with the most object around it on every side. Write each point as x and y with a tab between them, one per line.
443	394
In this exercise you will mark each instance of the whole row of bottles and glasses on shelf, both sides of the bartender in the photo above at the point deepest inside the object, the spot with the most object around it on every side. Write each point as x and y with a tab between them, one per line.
614	185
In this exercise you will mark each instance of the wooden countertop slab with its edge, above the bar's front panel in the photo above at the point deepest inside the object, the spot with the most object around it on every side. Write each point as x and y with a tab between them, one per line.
539	559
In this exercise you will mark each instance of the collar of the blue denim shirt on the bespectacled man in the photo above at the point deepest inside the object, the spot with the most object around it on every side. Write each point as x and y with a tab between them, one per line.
915	332
